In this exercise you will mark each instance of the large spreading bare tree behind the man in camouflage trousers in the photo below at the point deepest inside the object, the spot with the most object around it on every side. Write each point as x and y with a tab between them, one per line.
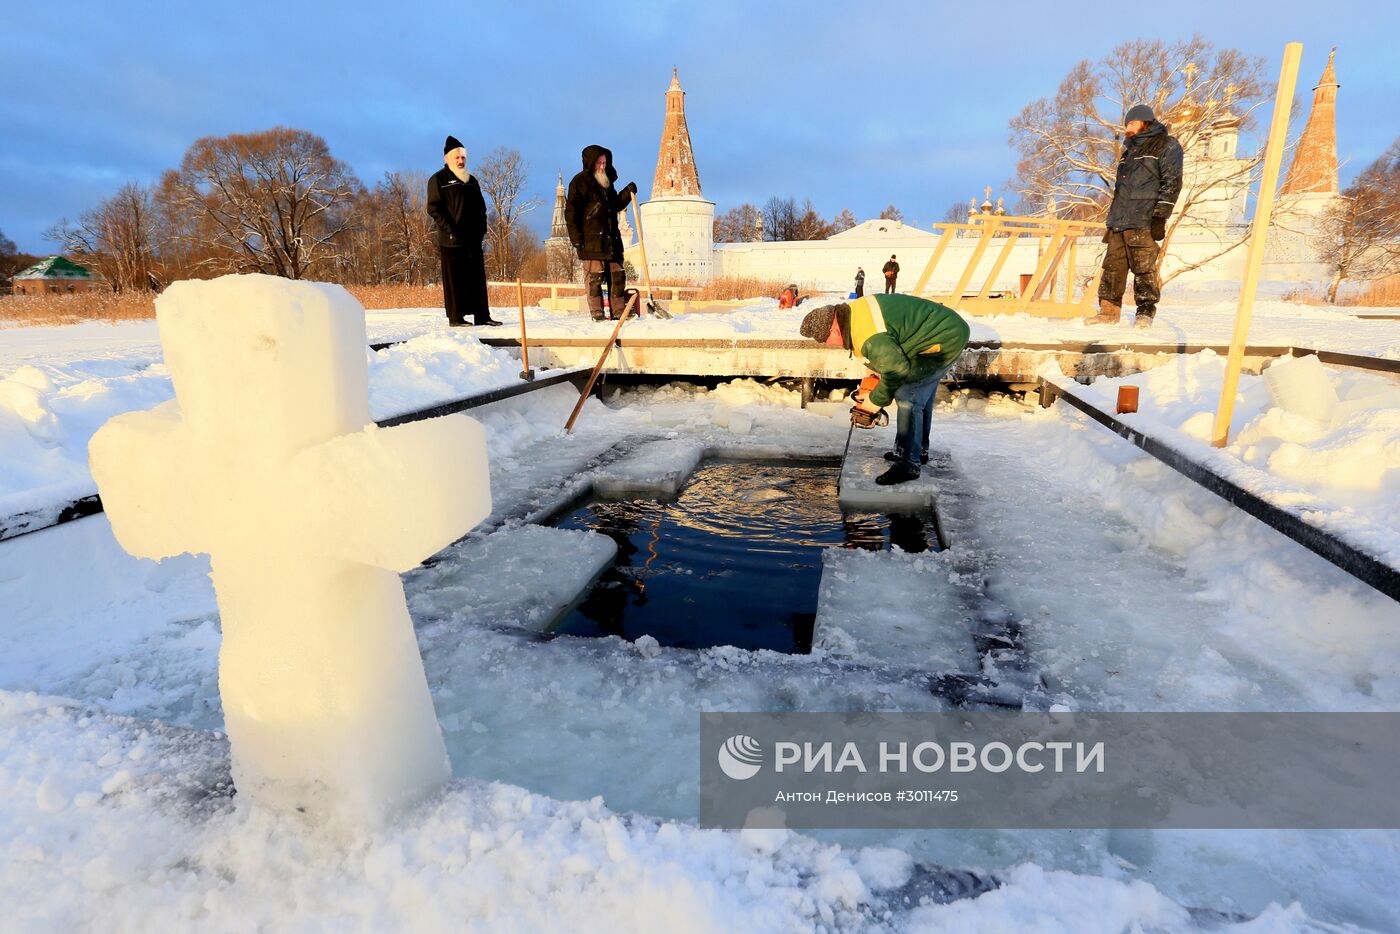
1069	145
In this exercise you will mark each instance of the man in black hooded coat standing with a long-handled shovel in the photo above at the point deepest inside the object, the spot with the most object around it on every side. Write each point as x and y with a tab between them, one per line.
591	215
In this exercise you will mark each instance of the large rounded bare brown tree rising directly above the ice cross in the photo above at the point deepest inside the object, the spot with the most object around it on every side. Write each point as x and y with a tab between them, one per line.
272	202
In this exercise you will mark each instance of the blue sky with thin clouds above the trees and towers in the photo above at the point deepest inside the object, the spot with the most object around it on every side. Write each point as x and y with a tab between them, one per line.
850	104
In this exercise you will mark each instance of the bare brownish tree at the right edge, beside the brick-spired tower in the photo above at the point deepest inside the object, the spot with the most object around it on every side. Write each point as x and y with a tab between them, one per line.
1360	236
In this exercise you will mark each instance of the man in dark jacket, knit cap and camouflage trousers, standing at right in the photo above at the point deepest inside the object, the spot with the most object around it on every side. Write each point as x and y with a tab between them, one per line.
1144	195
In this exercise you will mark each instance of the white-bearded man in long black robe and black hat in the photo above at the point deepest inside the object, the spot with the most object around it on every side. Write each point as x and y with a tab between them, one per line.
458	215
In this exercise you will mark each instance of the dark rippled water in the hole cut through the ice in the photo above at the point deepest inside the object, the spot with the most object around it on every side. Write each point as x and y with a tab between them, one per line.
736	561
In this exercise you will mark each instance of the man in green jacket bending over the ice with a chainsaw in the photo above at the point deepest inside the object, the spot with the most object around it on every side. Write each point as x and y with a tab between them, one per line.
911	344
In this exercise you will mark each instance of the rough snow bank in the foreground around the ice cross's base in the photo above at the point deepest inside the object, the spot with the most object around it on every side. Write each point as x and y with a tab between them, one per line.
115	825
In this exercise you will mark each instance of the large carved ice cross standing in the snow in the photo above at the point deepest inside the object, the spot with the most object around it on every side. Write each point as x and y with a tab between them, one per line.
269	463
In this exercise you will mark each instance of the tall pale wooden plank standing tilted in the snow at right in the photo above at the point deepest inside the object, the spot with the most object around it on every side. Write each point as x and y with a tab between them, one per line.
1258	239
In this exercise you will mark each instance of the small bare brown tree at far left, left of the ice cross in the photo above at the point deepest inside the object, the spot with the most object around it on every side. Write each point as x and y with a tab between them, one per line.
117	237
